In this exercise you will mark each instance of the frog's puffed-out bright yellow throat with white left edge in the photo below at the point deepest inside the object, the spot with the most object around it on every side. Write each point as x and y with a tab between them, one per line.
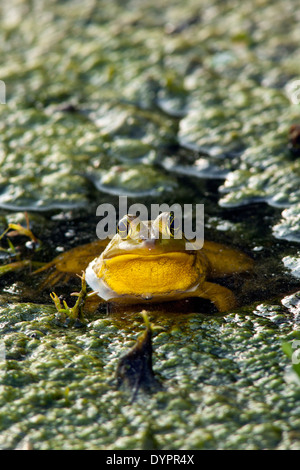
143	276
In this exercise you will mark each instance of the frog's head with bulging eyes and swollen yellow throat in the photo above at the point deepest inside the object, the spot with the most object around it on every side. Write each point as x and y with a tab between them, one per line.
146	259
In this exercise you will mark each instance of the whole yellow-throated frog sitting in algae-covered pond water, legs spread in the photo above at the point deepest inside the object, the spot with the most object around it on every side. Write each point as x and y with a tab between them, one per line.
146	262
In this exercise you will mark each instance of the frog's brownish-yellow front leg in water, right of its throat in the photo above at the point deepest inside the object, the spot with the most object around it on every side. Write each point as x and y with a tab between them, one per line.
222	297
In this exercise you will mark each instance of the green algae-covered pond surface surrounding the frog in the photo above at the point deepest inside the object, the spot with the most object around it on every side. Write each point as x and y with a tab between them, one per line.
188	102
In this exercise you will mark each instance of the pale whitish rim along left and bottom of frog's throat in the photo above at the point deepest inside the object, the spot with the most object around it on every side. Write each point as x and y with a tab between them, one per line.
106	293
